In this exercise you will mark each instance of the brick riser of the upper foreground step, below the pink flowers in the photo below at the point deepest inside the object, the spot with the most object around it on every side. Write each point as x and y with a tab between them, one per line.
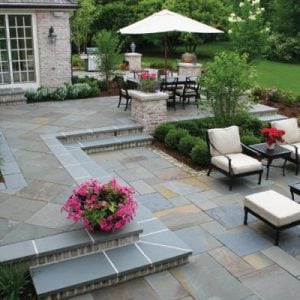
80	251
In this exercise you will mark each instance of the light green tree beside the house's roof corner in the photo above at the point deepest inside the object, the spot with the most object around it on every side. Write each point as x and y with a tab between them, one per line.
81	23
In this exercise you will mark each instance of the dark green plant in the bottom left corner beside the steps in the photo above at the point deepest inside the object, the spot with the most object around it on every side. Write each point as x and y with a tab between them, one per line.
13	279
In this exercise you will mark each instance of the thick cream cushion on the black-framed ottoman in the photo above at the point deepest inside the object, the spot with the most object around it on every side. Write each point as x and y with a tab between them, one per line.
273	207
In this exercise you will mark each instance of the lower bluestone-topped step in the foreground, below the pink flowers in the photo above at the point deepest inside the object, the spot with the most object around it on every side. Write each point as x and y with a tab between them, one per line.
87	273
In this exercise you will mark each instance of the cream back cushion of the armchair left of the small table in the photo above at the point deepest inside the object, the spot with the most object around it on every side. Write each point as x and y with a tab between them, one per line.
226	140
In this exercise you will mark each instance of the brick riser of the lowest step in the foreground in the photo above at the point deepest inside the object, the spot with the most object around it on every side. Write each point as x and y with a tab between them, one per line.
96	285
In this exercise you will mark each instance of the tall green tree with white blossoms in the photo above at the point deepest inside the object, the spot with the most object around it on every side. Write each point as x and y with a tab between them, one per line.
247	30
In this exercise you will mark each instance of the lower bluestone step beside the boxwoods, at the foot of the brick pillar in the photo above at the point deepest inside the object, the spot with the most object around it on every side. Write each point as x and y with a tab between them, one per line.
117	143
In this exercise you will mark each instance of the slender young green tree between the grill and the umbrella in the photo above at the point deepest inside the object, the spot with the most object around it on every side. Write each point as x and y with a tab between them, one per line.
109	47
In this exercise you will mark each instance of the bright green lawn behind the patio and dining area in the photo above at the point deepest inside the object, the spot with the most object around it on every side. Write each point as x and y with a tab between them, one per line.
270	74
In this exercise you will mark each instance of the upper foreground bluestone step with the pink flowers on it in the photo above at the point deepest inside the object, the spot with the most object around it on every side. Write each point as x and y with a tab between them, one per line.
67	245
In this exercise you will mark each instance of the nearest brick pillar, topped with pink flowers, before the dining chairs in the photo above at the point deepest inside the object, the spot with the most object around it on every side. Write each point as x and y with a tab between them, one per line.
149	109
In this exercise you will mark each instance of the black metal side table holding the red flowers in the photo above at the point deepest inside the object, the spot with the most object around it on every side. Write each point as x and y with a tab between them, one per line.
271	154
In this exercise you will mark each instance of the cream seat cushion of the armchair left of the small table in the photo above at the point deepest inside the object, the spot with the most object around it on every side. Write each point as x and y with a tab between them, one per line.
240	163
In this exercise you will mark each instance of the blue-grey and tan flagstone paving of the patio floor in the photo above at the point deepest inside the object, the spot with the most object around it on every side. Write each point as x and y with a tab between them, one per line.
229	260
